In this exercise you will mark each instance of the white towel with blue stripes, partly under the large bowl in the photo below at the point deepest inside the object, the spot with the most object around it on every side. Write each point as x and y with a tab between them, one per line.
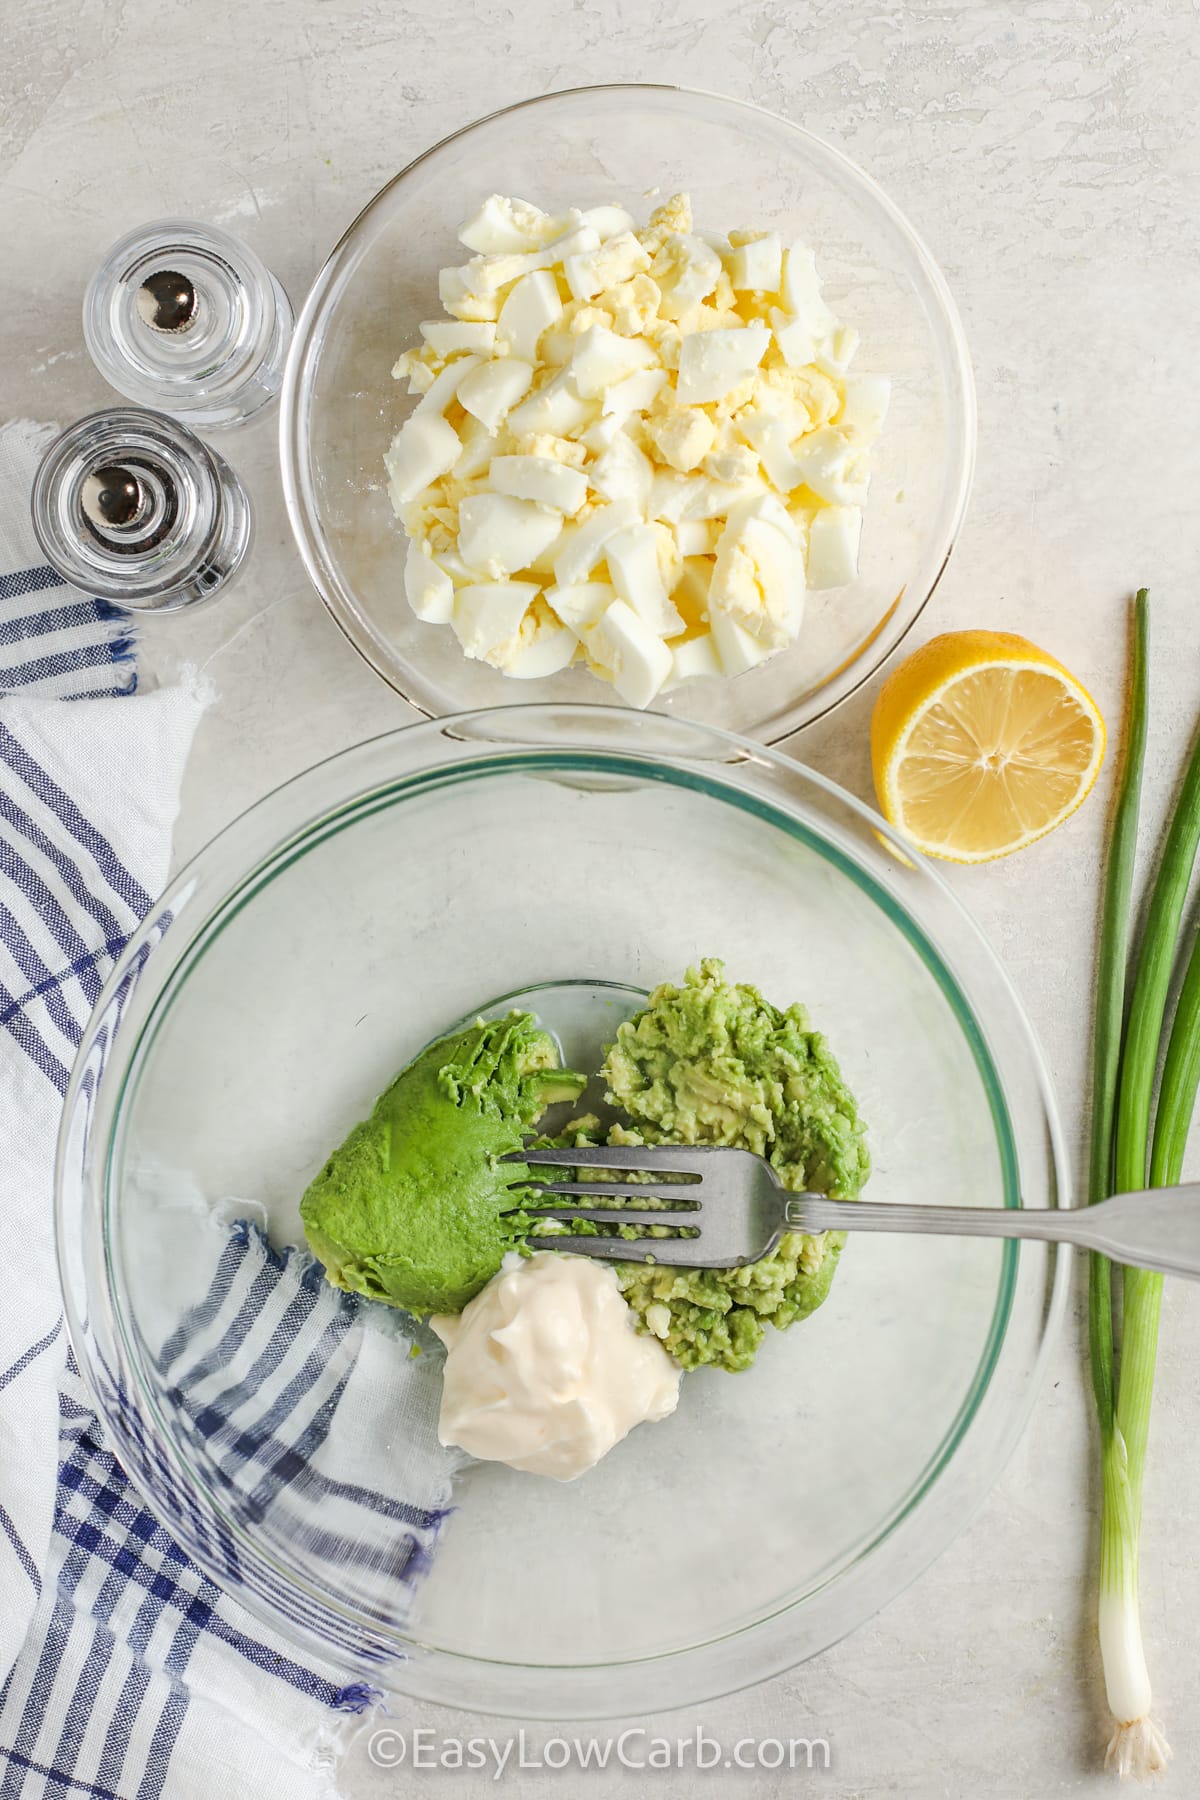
125	1671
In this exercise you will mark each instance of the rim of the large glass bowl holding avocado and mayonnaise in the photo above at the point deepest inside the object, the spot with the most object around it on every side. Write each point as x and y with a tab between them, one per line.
456	1677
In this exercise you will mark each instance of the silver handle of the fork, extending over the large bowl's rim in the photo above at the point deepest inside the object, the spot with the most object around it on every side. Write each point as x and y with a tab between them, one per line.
1154	1230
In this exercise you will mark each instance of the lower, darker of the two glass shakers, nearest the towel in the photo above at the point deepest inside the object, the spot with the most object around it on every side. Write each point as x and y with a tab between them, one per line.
134	508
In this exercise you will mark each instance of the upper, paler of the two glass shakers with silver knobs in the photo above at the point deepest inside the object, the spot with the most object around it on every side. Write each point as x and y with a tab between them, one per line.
186	319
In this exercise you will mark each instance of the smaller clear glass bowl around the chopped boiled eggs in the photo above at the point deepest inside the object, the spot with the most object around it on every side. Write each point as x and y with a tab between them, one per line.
740	165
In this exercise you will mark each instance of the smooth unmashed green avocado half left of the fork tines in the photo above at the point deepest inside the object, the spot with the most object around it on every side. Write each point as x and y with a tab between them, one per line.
409	1209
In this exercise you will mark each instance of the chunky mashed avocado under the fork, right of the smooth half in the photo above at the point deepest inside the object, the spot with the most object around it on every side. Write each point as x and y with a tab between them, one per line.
715	1063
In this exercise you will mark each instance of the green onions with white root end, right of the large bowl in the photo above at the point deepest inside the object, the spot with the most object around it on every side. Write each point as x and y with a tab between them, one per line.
1125	1158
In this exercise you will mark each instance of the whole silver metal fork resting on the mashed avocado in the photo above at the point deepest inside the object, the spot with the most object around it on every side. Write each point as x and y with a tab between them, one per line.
735	1210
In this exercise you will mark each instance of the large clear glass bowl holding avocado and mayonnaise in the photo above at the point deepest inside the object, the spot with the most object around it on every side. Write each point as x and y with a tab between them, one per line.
586	852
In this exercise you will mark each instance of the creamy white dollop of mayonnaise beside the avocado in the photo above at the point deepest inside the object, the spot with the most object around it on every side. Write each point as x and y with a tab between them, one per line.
546	1371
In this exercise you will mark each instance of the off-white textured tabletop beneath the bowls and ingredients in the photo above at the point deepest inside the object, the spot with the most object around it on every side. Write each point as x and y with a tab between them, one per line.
1048	154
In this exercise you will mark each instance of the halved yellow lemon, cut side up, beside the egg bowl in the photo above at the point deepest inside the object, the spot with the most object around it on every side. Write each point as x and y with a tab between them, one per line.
981	744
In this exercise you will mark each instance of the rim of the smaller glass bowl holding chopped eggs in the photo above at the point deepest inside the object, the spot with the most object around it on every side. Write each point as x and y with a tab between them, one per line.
859	667
